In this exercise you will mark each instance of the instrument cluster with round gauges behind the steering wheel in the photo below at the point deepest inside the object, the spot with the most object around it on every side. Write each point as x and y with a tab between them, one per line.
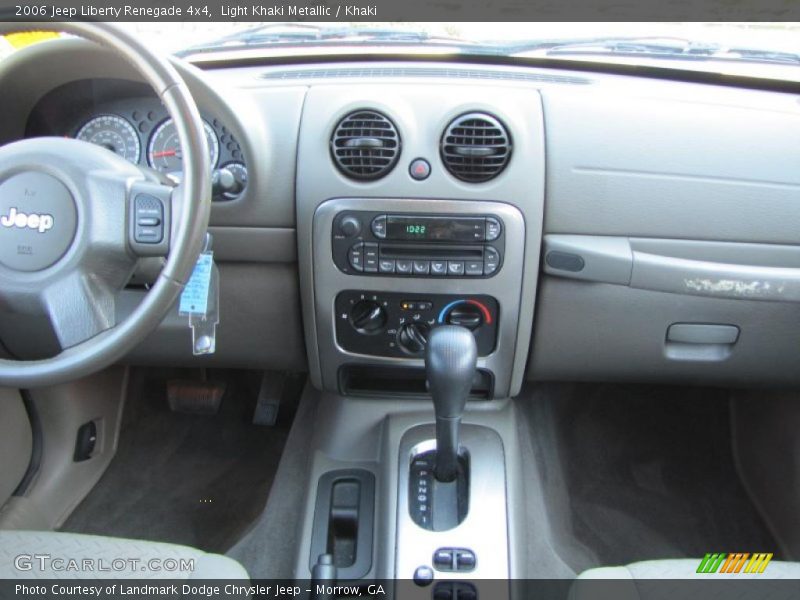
142	132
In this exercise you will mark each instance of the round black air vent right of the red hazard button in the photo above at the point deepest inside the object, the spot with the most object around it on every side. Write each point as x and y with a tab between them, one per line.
475	147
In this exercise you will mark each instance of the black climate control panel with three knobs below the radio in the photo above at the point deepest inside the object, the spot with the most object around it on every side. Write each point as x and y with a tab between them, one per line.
397	324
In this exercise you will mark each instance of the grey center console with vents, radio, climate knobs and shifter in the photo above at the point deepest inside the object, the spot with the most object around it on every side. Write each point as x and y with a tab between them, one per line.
390	266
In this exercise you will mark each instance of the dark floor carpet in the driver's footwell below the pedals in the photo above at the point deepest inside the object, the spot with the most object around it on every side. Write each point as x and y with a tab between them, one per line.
188	479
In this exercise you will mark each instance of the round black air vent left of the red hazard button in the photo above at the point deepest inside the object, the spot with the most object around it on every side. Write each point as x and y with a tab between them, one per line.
365	145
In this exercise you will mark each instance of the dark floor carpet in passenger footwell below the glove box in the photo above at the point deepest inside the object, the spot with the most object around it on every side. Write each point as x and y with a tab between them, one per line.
648	471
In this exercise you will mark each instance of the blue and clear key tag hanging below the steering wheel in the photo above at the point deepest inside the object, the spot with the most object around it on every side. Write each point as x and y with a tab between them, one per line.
200	302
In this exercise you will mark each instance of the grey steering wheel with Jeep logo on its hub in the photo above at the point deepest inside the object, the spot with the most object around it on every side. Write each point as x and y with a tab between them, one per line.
75	218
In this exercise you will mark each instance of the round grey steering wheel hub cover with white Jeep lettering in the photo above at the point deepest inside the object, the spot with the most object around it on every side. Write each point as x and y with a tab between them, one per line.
38	220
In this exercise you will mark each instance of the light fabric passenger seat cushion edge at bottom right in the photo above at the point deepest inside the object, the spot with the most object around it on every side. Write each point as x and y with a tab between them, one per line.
678	579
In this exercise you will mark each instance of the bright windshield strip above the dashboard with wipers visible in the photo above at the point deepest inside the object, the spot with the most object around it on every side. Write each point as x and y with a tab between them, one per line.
765	50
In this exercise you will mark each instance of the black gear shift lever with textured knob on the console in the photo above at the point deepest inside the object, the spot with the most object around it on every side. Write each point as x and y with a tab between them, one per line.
450	360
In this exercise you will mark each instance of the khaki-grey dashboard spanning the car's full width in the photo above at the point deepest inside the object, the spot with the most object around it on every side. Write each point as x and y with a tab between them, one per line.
646	228
